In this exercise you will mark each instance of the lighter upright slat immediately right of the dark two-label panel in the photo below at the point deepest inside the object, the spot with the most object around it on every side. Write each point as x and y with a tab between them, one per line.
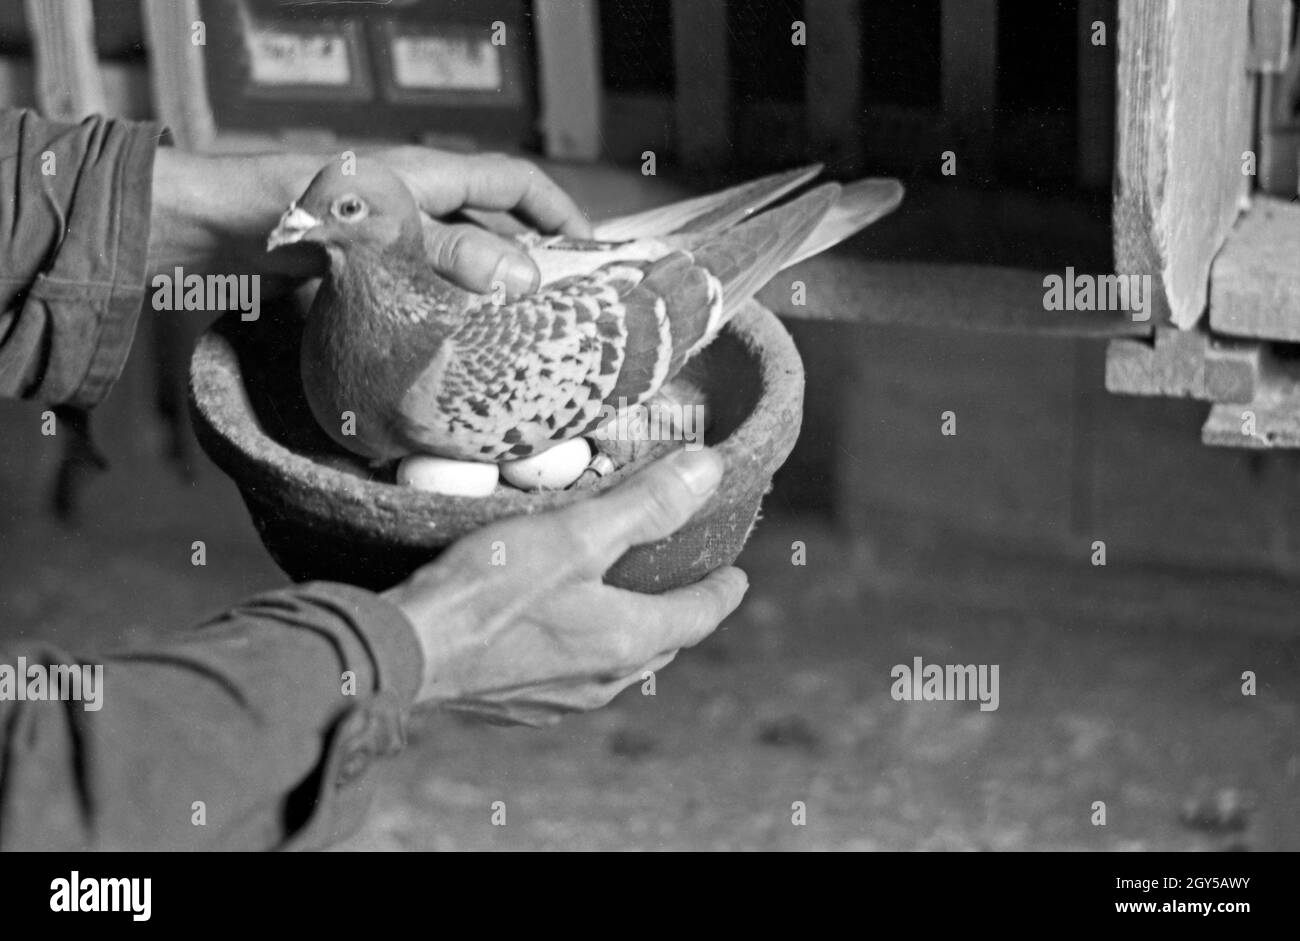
569	51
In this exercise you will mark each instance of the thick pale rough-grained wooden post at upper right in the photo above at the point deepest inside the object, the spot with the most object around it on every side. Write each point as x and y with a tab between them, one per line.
1184	123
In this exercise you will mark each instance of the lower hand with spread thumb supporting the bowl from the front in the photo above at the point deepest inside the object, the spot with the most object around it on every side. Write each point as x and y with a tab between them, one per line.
540	635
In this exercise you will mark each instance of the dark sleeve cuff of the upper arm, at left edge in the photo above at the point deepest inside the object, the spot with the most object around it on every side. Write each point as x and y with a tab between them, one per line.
75	222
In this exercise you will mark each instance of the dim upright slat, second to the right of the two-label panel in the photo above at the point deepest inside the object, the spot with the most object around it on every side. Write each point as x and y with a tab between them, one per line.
701	59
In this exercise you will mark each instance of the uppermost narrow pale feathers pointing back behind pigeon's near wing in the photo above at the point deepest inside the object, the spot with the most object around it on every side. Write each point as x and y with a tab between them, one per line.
714	213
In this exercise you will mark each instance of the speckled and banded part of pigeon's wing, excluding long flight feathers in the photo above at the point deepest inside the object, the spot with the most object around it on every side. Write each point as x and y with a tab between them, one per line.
522	376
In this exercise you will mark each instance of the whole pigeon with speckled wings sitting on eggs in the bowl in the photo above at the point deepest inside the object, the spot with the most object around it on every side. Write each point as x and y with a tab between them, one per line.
424	367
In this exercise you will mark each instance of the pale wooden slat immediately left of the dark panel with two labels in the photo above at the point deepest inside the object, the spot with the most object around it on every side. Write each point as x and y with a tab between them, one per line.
176	72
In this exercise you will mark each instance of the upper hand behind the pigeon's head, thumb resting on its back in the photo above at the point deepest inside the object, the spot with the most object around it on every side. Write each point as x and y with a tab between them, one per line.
213	214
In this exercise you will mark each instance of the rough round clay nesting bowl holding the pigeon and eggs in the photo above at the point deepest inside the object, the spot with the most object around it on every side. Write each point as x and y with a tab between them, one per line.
322	514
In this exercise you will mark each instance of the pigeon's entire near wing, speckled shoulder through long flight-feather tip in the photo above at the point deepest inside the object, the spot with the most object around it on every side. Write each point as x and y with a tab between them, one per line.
518	378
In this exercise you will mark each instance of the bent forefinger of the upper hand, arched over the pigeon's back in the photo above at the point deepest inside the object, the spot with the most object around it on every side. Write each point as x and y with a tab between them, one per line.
518	187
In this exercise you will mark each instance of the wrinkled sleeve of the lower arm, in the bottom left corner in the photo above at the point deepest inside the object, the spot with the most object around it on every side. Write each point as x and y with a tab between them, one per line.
252	732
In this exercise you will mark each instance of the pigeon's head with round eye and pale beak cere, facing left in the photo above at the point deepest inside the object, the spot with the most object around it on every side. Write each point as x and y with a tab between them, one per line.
350	205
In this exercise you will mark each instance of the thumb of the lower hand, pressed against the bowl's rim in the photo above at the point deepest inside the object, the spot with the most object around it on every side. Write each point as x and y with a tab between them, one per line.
655	504
